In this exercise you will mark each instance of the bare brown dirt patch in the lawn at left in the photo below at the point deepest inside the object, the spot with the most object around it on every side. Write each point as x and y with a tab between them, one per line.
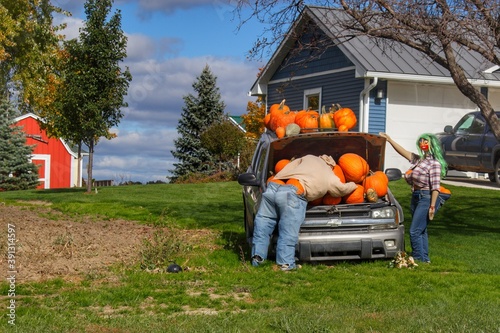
49	244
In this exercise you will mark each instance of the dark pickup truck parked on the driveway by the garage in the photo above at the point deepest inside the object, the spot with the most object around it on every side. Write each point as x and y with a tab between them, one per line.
471	146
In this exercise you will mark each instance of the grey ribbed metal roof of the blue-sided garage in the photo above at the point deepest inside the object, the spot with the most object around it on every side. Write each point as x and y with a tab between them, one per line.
375	57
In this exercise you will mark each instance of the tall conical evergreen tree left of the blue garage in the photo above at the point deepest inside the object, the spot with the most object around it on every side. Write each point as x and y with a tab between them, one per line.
199	113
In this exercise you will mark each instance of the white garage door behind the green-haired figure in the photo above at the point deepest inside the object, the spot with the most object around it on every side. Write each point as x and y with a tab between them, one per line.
413	109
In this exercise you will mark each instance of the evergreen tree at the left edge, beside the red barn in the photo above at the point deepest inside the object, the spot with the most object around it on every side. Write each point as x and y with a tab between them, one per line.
16	170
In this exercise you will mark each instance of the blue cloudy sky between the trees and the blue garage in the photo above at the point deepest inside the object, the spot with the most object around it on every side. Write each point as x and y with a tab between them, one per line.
169	44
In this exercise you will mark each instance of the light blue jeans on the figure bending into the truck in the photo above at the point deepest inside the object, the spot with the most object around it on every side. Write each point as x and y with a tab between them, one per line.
280	205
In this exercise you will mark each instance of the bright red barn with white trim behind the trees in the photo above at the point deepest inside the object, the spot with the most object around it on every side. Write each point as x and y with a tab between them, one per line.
58	163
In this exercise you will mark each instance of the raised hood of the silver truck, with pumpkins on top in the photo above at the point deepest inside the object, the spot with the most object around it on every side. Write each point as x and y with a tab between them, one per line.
369	146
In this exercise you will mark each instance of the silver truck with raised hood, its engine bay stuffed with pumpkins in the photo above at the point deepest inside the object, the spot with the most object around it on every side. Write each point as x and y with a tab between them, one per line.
330	232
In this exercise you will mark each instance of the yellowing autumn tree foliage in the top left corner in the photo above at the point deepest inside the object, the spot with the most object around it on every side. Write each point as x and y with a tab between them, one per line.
30	51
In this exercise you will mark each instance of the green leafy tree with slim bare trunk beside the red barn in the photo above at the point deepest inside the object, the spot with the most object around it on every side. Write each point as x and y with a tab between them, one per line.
94	85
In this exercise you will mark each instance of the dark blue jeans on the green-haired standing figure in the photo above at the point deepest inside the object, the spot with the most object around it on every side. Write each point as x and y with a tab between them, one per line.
420	203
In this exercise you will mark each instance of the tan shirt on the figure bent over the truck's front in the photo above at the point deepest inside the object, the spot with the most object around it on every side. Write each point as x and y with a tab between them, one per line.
316	176
